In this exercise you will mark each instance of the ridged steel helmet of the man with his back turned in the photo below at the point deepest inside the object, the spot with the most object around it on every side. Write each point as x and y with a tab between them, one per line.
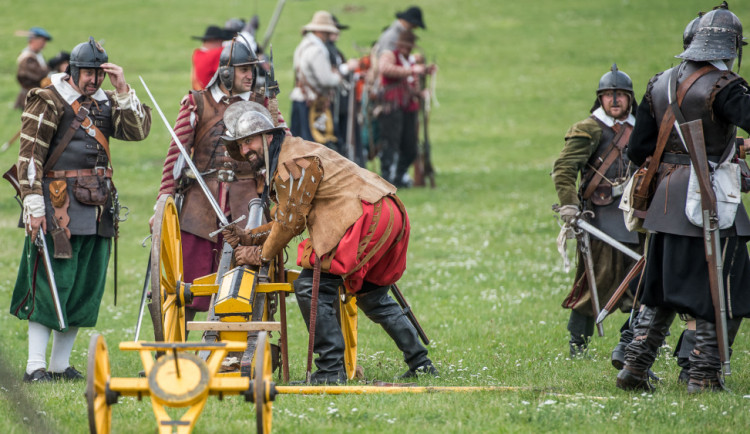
719	37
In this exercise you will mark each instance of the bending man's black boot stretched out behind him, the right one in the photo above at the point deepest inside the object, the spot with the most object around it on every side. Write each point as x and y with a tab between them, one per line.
382	309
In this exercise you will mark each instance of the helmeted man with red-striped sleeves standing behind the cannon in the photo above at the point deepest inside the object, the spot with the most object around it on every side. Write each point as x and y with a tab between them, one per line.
199	127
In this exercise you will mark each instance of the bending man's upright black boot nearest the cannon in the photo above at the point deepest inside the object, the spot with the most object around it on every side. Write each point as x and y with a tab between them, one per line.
329	342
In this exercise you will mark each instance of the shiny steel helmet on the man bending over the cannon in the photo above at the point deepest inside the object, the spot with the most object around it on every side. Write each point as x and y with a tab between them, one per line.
244	119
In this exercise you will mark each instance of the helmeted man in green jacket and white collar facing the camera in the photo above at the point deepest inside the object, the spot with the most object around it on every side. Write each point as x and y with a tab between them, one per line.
595	149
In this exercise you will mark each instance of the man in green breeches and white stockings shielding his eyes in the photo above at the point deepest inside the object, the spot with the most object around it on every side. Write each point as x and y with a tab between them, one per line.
65	172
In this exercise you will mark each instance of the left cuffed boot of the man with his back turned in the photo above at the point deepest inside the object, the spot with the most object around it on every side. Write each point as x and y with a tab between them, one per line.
648	335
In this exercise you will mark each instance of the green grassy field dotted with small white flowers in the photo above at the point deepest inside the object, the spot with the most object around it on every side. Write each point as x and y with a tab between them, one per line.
484	276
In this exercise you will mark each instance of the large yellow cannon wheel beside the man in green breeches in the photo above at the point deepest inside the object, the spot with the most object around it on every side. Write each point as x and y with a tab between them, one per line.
168	310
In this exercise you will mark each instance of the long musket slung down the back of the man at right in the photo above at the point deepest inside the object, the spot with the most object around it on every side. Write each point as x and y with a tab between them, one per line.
692	137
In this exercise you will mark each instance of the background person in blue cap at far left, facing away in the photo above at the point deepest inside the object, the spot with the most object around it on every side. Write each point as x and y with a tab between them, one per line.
31	65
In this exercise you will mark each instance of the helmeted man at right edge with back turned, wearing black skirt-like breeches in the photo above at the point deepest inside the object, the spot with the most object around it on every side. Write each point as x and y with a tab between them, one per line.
676	278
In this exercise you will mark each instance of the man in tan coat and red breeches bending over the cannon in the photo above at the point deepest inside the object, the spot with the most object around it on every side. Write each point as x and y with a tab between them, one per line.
358	228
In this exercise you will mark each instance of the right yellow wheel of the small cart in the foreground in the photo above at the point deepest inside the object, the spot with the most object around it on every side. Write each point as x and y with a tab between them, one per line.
264	388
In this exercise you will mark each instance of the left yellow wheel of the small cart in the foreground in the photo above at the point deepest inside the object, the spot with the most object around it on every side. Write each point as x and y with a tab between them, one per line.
97	383
